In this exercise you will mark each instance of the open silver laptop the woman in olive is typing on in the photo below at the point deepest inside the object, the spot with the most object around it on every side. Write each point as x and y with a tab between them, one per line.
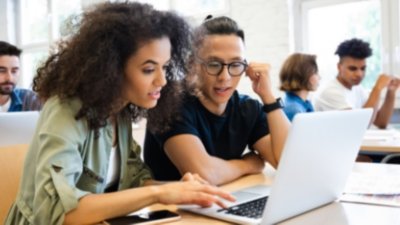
318	156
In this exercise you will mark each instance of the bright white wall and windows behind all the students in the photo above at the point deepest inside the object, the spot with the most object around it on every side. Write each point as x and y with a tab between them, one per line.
274	29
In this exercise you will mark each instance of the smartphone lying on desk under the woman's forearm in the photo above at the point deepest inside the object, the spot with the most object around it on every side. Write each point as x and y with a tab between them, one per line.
154	217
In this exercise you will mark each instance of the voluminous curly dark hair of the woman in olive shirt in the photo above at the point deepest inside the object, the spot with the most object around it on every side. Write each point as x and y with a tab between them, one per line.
90	64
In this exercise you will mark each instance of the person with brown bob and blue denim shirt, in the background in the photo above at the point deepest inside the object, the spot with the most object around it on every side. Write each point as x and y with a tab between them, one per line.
298	76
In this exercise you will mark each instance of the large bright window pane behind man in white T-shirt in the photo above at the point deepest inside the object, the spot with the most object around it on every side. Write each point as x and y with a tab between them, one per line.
330	25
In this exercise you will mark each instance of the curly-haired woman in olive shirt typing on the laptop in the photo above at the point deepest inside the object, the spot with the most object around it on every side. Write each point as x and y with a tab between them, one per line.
84	167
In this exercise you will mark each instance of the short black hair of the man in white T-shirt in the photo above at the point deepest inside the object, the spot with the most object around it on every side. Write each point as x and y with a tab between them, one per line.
355	48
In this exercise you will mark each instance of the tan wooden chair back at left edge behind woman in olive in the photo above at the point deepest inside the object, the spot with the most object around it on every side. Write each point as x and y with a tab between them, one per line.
11	165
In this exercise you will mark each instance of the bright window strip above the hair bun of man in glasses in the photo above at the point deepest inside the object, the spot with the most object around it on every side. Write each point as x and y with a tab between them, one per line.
196	7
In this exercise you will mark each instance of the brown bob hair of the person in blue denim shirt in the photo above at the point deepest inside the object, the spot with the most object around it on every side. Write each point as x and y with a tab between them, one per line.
296	72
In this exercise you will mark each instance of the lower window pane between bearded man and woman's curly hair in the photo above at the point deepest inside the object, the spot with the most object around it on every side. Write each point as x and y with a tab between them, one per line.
30	62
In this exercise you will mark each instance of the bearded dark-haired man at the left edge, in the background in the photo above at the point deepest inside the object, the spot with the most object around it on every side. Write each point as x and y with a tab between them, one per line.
13	99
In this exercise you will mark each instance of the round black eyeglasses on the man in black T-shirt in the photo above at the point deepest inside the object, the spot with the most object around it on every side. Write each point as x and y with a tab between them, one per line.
214	67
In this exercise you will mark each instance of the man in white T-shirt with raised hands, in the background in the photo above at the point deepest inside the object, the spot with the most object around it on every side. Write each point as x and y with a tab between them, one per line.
345	91
